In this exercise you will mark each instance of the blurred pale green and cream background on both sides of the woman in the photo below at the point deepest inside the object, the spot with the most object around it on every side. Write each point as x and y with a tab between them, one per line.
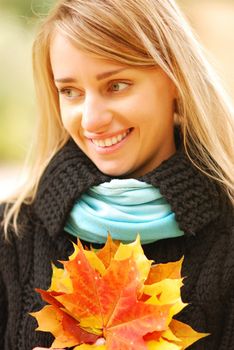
213	23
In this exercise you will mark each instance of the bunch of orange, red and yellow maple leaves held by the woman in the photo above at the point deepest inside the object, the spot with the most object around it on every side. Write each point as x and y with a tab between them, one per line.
115	299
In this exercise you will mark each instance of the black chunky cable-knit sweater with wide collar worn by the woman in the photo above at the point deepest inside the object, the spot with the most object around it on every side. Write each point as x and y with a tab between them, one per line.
202	212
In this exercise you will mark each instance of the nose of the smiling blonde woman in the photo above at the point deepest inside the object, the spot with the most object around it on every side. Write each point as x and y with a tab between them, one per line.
95	115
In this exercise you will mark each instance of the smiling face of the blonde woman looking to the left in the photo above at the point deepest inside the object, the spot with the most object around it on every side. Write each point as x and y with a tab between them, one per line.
120	116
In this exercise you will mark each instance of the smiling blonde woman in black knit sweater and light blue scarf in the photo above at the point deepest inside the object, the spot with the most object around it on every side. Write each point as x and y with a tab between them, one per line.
135	135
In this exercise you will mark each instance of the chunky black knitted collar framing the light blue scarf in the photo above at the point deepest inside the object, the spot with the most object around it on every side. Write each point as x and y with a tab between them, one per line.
194	198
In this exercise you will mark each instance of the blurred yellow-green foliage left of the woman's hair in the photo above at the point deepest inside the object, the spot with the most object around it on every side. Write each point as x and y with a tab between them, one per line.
18	19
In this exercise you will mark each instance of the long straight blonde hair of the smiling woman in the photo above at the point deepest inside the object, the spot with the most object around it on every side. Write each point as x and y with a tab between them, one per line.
137	33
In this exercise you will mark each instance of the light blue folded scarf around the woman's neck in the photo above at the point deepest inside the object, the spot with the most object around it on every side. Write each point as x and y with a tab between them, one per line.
124	208
